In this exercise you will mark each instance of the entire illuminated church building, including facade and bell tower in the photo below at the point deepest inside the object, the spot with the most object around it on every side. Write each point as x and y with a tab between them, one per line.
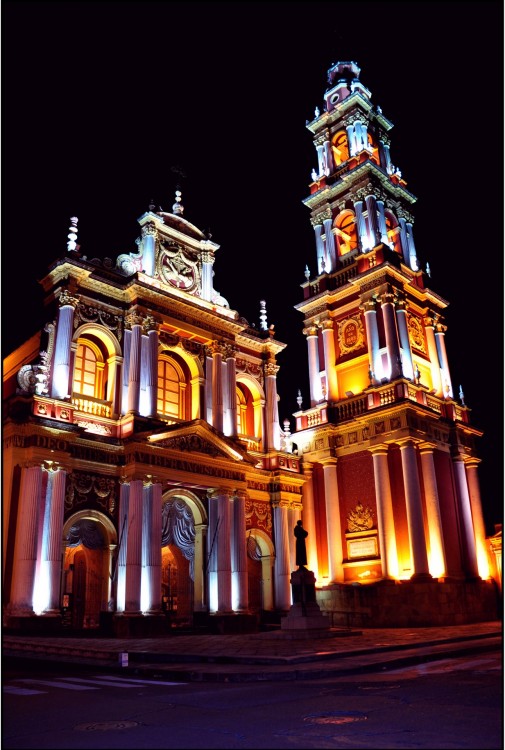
147	480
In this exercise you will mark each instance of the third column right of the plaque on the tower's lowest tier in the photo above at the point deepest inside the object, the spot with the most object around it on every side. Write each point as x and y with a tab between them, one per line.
438	567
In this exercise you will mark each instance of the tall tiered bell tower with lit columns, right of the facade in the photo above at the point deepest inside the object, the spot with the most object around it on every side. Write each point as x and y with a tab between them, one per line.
393	493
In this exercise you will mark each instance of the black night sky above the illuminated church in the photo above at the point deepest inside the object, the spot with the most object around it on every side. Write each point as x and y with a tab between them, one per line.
109	105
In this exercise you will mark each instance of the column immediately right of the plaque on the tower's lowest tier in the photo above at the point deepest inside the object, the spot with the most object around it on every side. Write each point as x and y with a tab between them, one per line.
385	513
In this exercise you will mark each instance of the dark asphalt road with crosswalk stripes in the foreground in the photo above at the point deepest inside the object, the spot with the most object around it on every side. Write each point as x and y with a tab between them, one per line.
451	703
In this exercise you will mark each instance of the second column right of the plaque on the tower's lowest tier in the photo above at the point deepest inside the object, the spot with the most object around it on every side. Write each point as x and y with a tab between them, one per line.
413	502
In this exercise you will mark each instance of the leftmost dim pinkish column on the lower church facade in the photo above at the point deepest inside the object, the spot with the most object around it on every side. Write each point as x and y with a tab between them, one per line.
26	545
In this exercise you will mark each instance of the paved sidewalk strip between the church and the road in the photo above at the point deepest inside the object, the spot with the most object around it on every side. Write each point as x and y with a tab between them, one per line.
262	656
